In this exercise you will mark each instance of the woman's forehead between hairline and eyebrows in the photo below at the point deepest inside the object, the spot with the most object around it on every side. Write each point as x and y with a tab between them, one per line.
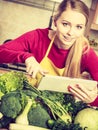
73	17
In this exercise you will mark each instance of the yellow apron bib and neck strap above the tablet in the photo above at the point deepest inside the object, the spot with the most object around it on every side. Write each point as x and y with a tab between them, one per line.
47	64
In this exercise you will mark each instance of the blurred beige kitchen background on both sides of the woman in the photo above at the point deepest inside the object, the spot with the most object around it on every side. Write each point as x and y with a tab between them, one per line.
20	16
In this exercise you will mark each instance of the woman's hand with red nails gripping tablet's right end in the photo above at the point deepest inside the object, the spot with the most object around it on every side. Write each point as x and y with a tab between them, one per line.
85	94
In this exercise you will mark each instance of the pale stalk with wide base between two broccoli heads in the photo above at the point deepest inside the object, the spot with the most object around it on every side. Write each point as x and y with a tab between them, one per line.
23	117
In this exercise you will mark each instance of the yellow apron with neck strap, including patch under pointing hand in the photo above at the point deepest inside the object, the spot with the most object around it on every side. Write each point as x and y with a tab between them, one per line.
48	65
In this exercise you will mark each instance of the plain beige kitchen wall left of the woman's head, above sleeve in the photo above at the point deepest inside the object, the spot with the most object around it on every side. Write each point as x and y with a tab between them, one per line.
15	19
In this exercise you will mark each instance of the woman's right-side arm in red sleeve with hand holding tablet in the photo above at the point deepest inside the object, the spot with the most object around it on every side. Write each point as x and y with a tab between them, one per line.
90	63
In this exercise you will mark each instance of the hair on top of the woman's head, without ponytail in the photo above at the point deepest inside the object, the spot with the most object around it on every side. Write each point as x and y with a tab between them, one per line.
76	5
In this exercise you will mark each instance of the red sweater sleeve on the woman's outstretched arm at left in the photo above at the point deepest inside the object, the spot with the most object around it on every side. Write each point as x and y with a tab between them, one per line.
18	49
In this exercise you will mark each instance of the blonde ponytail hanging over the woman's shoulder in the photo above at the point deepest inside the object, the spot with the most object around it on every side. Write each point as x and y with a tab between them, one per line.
73	62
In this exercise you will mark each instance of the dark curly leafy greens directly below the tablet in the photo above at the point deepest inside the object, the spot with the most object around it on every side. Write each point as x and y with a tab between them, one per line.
66	100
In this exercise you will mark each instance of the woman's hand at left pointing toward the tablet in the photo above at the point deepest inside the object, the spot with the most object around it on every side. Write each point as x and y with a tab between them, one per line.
33	67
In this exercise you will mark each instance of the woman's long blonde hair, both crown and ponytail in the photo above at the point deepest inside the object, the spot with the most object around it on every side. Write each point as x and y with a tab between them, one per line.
73	62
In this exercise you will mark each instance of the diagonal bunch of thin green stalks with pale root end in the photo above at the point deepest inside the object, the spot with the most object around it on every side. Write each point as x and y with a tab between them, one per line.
56	108
